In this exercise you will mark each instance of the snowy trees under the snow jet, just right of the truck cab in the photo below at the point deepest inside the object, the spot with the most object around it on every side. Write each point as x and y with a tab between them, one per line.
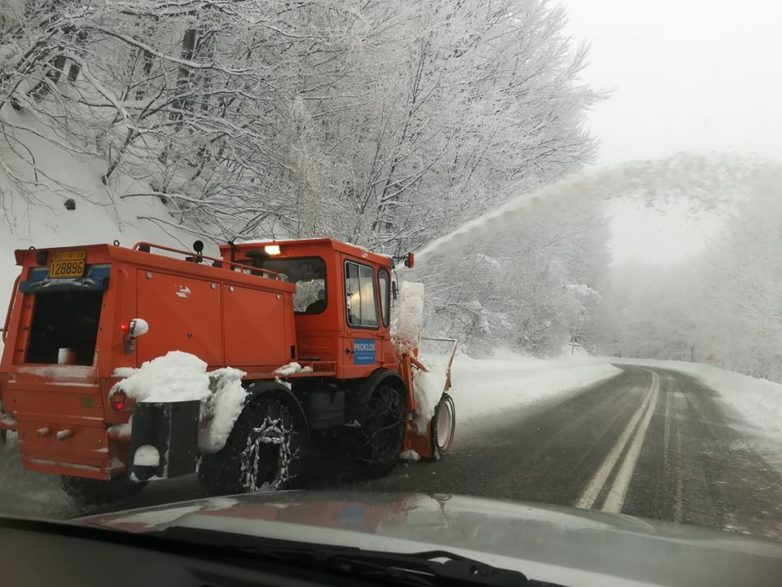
530	283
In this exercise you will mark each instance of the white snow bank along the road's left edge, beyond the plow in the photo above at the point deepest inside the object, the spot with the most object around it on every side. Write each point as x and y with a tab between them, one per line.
482	387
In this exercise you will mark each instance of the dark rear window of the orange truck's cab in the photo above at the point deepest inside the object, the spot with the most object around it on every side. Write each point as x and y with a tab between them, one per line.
307	273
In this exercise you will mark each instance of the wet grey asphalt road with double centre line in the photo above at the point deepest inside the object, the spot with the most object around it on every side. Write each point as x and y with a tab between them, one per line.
648	442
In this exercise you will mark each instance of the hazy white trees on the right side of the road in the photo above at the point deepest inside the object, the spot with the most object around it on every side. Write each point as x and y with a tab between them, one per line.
723	305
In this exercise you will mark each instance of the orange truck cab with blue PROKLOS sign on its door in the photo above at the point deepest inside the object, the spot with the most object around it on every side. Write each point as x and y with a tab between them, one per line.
342	301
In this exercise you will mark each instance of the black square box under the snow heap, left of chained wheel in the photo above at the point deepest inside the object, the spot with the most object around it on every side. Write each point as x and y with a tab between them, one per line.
164	440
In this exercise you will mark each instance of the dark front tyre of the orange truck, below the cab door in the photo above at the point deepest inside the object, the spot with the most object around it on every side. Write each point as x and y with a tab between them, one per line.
382	433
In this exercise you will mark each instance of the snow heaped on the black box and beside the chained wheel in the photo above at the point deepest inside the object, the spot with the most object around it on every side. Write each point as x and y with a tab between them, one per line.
180	377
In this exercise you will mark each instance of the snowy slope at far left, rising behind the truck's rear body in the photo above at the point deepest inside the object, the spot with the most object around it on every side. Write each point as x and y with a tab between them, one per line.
36	180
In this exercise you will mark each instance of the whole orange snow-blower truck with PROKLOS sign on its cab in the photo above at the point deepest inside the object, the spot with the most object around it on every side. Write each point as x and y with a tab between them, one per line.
306	324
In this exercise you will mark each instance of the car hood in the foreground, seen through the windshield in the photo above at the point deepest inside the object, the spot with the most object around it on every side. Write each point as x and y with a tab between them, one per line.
558	544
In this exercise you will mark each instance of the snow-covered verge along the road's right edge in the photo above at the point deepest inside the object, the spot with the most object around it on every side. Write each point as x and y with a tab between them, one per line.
758	402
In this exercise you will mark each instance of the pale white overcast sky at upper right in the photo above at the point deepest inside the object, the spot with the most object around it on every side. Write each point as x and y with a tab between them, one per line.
692	75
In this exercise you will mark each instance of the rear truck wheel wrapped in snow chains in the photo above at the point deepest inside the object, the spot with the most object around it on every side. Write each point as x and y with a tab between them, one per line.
264	451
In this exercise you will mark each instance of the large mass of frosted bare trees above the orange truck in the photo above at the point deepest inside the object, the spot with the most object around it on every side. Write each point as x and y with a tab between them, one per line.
384	123
